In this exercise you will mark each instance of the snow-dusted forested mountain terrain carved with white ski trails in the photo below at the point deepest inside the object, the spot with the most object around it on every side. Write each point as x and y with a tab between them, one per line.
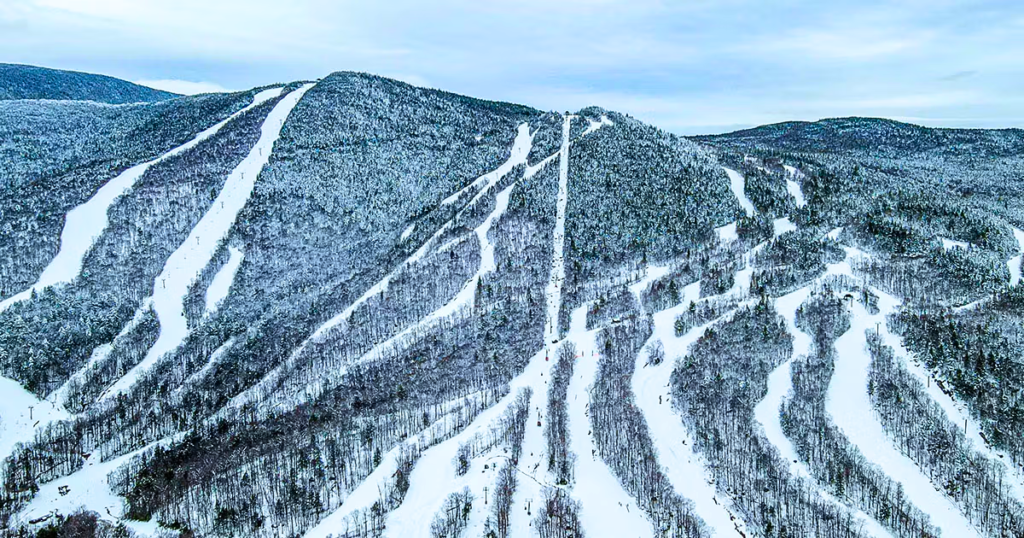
357	308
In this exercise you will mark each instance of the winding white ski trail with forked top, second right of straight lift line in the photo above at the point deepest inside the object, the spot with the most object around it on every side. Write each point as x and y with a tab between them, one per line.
686	469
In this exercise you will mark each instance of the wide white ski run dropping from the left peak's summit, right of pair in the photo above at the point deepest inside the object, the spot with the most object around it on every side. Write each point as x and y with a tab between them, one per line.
186	264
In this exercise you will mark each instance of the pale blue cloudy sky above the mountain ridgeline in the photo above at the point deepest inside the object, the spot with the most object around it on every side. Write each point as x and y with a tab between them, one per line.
691	67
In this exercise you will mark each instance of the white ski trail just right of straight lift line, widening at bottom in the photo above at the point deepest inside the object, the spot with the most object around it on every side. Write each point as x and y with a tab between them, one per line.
606	509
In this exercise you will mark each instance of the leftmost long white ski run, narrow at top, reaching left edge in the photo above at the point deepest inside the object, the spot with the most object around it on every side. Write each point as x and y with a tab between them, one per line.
86	224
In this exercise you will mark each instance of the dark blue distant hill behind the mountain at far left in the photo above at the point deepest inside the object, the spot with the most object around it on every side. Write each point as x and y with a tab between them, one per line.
29	82
